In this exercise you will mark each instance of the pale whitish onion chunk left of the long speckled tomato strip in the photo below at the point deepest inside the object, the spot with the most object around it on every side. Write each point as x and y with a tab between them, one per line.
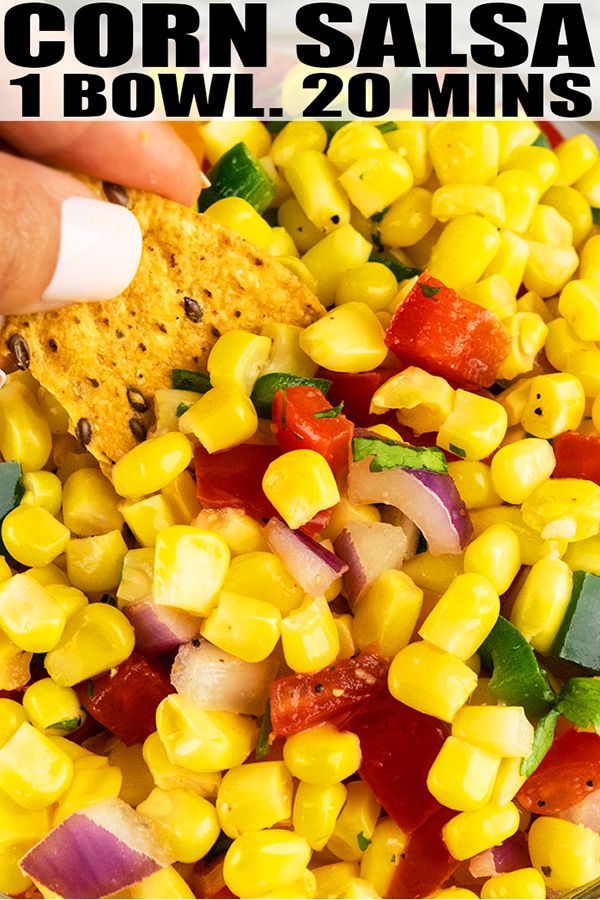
216	680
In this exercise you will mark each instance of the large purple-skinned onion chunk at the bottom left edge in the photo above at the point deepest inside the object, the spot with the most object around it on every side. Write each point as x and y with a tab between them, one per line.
99	850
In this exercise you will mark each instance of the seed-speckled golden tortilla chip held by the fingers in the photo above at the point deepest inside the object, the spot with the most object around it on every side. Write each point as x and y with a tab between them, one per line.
104	361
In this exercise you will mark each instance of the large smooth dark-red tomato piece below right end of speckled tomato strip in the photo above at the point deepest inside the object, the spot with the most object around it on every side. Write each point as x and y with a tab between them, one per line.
398	746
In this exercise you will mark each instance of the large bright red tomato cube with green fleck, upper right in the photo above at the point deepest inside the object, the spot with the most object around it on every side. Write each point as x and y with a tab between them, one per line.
437	330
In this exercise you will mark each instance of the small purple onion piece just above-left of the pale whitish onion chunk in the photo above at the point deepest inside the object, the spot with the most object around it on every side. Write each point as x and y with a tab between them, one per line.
159	629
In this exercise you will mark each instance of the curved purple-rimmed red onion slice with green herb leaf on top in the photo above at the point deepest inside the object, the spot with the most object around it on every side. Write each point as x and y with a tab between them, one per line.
429	499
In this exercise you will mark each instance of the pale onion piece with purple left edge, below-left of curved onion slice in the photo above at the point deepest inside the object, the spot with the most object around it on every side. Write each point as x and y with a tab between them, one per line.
368	548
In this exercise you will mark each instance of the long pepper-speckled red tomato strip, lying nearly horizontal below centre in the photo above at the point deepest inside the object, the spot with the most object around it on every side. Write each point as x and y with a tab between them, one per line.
301	701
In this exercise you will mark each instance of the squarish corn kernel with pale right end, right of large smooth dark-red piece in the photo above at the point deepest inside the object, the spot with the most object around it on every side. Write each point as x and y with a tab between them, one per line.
462	775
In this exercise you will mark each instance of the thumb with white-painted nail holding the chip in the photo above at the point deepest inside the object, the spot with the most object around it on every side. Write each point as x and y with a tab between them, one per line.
59	244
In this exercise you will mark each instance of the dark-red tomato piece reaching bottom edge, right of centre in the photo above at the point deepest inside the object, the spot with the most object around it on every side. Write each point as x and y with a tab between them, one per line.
426	863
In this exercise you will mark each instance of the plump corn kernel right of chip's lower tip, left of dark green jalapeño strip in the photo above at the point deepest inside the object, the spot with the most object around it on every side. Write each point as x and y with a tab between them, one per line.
221	418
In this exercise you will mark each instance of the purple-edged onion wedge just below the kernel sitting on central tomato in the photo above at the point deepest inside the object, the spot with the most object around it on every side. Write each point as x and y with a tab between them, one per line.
313	566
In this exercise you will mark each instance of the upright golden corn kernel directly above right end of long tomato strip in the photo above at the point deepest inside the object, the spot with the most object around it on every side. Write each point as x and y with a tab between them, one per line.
387	613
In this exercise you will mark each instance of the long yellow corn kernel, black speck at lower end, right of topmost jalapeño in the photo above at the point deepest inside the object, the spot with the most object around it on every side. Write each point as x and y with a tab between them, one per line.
313	181
